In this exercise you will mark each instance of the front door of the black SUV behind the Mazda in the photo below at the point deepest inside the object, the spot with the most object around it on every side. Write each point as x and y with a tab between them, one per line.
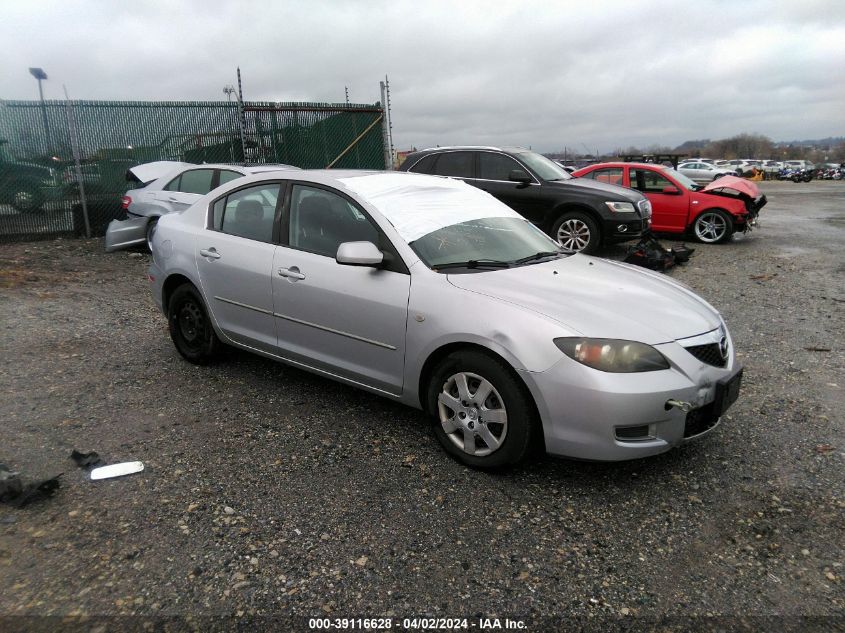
493	171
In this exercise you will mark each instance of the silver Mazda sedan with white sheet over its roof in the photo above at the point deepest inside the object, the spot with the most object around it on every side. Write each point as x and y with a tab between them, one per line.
431	292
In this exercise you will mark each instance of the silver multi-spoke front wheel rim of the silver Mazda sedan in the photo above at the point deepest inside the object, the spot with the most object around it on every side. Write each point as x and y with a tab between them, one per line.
472	414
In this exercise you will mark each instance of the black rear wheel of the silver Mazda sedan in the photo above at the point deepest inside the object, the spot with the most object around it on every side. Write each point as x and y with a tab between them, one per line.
190	326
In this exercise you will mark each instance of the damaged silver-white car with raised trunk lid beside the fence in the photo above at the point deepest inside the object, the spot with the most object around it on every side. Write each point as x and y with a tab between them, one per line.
168	187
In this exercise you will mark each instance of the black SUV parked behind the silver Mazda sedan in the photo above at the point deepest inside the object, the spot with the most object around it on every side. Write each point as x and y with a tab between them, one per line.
579	214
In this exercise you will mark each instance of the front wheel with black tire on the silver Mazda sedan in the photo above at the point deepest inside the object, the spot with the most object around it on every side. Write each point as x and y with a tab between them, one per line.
462	429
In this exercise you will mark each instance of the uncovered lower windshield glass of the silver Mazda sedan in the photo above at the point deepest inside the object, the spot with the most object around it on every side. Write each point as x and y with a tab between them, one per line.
495	242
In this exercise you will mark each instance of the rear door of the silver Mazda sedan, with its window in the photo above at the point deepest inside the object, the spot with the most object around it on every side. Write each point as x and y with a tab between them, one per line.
234	257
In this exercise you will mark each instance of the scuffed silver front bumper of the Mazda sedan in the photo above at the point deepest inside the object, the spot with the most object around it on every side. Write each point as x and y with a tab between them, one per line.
594	415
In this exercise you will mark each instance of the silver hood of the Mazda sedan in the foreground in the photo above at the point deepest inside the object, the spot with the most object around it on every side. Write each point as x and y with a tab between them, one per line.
599	298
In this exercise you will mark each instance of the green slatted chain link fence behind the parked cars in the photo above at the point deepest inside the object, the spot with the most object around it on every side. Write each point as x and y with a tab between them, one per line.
43	185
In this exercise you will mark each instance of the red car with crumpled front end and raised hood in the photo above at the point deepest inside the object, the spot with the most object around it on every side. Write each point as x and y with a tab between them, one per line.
712	213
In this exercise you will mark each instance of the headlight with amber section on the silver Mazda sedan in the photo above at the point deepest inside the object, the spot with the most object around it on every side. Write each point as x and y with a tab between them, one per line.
611	355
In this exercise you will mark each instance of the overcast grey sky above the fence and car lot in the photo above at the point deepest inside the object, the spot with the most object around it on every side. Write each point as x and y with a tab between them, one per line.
547	74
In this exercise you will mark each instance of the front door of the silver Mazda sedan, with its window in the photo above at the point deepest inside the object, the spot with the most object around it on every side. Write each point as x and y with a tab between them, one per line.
347	320
